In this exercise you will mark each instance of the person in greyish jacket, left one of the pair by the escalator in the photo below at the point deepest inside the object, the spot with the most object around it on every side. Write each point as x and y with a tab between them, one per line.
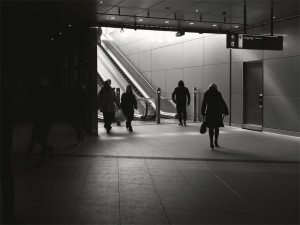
106	102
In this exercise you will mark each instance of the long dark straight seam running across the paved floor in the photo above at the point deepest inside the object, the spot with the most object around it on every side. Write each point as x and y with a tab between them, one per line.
173	158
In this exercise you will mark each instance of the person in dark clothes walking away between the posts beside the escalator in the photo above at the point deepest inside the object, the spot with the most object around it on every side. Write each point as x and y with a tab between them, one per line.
181	97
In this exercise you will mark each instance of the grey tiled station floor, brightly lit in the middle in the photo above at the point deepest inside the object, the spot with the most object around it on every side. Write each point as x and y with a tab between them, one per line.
160	174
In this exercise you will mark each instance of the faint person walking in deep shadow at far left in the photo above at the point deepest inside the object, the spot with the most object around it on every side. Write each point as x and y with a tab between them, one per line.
42	115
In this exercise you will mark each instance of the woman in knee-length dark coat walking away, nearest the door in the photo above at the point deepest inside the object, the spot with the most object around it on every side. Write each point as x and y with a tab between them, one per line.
213	109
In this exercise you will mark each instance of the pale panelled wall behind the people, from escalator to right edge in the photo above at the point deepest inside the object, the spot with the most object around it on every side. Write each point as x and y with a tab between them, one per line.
199	60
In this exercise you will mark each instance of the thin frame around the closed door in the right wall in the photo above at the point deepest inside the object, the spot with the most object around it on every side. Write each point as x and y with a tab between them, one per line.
256	127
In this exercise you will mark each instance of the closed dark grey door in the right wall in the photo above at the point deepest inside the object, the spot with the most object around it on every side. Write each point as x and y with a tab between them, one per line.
253	96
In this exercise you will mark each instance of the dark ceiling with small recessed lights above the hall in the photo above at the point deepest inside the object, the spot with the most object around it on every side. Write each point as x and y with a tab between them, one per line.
213	16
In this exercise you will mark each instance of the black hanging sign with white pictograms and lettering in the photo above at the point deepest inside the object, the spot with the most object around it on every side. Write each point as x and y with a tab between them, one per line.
259	42
